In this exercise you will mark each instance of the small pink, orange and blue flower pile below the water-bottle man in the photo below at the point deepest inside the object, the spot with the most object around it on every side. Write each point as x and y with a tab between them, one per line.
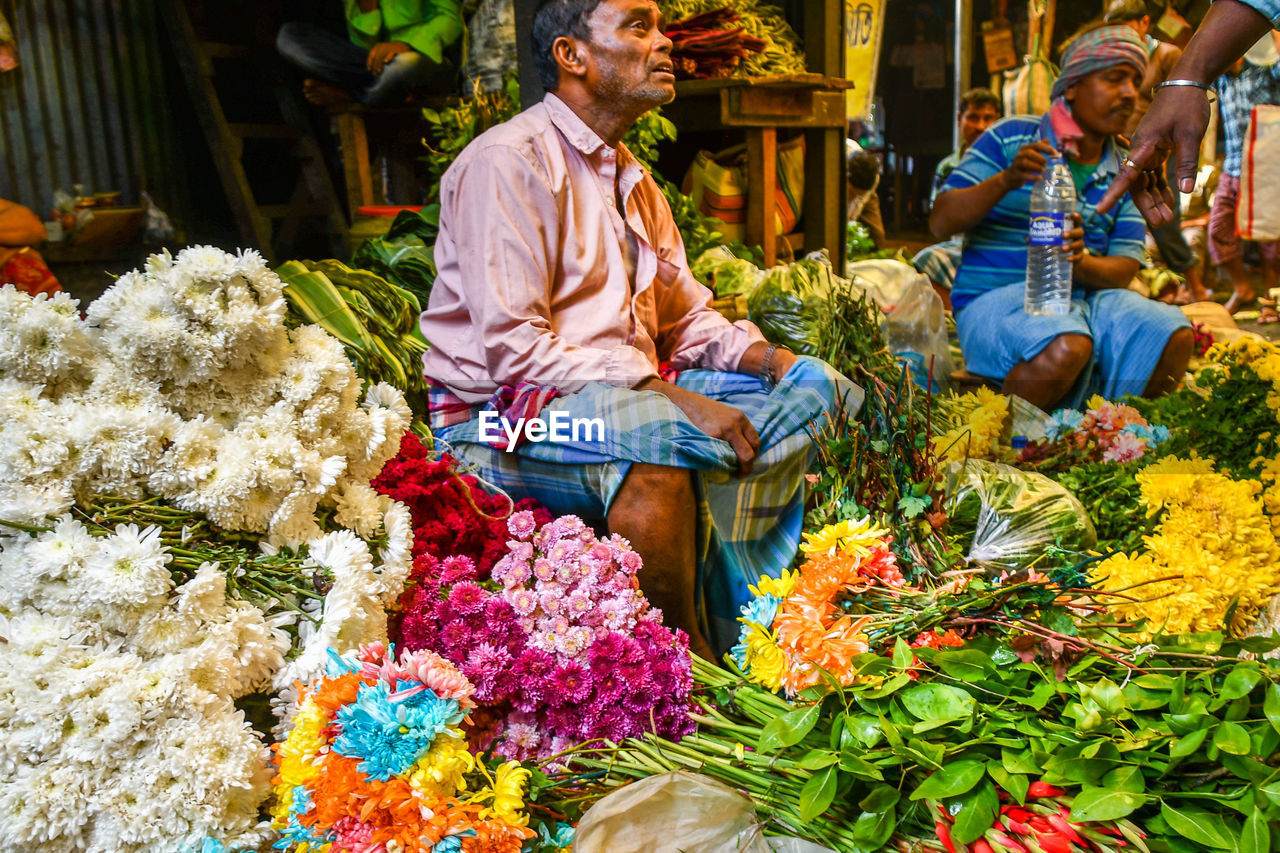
1108	432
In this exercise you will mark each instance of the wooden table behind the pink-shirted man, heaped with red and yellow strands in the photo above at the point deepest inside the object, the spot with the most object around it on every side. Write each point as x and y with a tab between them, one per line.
761	106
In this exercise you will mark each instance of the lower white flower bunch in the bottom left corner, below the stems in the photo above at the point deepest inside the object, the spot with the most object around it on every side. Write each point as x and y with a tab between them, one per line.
117	726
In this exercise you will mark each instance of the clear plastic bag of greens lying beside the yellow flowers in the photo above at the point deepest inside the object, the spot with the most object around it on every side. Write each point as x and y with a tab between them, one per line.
1008	517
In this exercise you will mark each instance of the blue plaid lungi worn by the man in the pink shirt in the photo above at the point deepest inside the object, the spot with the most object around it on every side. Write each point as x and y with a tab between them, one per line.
748	526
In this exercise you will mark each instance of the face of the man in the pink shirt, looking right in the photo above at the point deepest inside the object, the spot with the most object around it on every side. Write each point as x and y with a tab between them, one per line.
629	58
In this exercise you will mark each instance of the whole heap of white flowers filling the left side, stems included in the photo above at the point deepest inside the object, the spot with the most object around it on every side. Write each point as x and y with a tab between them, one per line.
186	518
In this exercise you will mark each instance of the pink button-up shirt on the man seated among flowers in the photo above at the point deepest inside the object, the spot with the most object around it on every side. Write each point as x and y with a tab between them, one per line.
536	268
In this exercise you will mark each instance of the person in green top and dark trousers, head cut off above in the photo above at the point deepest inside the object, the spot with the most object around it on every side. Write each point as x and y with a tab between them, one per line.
392	49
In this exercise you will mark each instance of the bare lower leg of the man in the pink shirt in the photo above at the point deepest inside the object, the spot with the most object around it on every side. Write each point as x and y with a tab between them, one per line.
656	510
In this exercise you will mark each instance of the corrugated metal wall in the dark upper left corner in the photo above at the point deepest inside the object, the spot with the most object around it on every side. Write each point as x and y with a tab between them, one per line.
89	103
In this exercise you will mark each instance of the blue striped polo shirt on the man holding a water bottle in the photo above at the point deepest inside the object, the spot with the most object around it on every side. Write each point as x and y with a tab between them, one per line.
995	250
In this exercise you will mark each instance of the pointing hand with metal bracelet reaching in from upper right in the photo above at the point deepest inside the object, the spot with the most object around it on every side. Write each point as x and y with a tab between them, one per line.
1177	121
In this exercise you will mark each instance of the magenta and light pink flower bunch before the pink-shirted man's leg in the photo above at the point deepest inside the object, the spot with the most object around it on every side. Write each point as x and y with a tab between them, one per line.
560	642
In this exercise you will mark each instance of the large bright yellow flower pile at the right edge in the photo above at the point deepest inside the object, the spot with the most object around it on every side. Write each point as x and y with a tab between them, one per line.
1214	550
